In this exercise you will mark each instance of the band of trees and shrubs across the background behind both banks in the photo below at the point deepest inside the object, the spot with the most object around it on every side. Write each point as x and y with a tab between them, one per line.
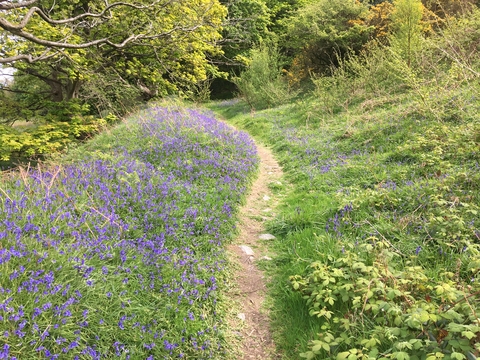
80	65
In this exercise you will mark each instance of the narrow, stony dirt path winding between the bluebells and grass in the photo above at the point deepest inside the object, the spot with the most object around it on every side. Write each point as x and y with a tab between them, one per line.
251	320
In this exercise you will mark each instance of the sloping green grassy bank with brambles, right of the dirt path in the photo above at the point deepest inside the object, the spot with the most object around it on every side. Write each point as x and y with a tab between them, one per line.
378	240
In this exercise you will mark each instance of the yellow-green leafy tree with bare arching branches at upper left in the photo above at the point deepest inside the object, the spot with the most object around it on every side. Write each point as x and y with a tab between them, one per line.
158	46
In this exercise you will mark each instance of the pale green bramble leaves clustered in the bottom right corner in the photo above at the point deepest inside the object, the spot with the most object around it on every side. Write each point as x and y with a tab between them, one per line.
397	303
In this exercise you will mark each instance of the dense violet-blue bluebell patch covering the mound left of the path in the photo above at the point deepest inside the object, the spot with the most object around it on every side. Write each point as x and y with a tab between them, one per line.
121	254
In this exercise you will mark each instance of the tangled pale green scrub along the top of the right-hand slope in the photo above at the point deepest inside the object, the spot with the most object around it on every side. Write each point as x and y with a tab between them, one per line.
443	72
